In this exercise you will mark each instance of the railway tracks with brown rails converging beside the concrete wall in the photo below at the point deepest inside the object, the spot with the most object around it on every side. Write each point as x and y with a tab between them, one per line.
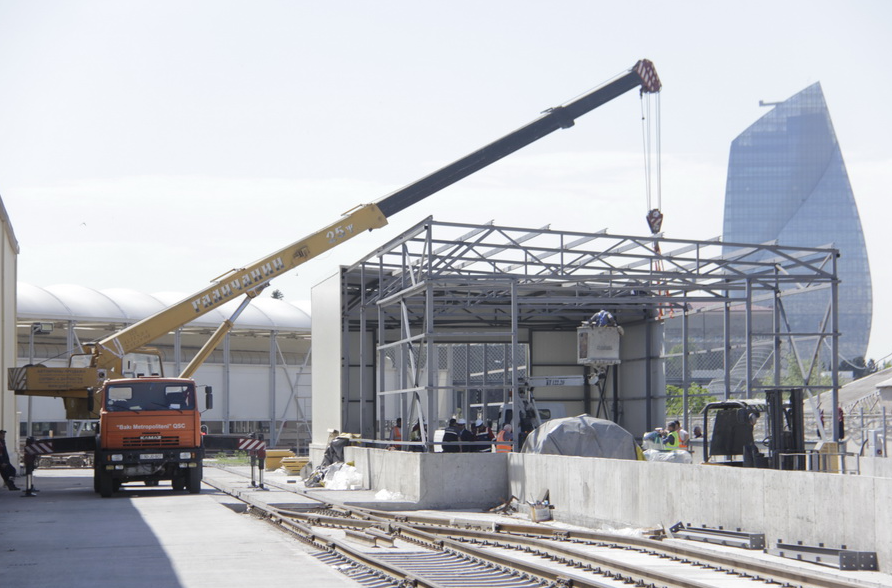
382	548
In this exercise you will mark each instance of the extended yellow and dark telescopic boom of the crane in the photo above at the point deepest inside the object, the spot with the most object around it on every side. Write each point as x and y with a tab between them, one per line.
106	356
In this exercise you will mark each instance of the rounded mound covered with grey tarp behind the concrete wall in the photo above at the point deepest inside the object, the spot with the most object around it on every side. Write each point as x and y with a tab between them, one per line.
583	436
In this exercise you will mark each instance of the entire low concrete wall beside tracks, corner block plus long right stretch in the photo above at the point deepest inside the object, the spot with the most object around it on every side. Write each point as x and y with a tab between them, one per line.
810	507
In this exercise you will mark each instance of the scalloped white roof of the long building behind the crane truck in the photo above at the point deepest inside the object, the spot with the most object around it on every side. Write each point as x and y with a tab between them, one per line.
66	302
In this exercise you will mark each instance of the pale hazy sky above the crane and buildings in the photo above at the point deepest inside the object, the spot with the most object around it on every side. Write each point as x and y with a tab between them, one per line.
156	145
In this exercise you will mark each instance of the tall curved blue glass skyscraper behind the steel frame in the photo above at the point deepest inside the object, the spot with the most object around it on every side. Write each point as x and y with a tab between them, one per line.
787	182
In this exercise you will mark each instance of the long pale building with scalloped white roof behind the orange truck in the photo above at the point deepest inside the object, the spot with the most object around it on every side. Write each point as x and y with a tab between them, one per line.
260	374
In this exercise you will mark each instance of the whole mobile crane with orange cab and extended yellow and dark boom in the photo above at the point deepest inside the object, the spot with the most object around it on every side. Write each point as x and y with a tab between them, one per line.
149	427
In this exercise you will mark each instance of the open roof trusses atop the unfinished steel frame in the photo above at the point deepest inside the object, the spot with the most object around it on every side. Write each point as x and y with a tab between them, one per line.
561	277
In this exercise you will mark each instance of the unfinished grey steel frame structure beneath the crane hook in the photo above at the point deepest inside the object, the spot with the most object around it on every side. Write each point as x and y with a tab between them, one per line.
442	282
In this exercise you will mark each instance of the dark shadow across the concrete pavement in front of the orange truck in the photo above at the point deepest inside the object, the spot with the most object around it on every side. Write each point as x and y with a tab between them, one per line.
66	535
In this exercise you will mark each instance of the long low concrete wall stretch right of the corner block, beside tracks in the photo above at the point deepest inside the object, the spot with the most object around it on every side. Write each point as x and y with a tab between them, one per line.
792	506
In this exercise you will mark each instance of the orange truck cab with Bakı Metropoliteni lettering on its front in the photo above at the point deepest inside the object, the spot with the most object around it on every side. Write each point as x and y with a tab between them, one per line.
149	430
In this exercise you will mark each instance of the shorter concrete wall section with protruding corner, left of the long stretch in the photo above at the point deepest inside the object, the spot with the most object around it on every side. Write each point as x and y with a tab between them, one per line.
435	480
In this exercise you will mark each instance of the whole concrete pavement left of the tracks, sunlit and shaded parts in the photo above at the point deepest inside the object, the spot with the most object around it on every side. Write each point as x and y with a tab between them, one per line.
143	537
